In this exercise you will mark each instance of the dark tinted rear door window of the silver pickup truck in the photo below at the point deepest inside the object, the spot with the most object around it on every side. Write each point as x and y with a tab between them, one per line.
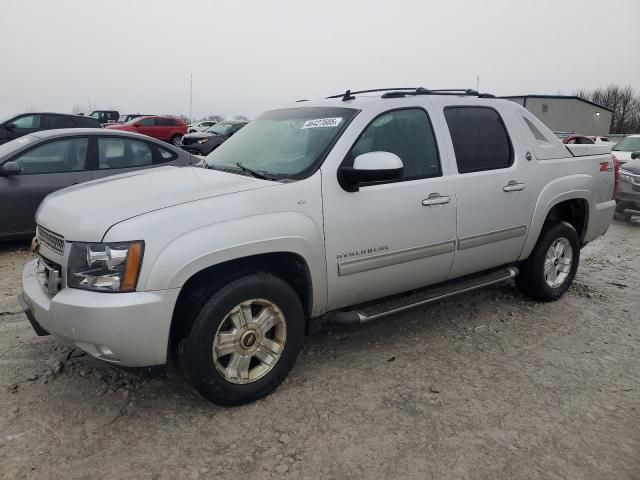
480	139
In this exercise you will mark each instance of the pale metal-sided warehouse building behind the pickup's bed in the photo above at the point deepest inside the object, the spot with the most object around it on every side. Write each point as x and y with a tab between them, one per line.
567	114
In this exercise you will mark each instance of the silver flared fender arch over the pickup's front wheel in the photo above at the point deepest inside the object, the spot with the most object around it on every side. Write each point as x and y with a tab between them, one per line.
196	250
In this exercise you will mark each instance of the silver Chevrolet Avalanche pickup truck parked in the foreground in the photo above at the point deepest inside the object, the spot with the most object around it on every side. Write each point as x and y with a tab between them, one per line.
341	210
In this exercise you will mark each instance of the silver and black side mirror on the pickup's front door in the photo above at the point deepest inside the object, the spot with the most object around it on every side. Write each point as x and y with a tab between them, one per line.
370	167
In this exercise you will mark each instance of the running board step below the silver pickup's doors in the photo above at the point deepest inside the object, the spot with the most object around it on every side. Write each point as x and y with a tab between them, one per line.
398	303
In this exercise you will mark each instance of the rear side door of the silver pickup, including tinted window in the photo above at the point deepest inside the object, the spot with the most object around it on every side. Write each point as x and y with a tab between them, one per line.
492	194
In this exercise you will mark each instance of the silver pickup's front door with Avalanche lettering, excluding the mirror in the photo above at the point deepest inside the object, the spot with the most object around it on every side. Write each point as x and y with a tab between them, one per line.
394	236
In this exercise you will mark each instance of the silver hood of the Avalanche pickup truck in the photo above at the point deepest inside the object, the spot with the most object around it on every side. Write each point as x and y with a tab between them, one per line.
85	212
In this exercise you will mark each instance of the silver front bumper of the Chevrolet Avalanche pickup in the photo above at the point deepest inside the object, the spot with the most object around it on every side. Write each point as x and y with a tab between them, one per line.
128	329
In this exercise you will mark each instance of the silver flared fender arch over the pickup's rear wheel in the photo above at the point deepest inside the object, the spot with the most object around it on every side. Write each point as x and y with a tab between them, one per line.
578	186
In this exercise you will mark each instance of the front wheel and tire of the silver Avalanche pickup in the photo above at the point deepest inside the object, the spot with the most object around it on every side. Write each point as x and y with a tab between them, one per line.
243	340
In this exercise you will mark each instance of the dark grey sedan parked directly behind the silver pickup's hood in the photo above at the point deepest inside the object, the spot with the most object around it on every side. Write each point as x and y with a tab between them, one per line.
35	165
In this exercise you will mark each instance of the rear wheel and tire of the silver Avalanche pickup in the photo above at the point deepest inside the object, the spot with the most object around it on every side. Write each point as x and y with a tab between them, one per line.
550	269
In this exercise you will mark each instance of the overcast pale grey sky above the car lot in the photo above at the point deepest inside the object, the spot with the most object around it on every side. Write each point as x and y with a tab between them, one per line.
248	56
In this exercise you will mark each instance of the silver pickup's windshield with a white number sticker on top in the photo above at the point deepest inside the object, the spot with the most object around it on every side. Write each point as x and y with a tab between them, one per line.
284	143
